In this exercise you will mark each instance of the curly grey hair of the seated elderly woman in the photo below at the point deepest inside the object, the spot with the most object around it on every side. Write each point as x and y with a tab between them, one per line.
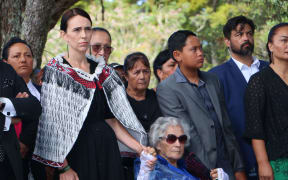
160	126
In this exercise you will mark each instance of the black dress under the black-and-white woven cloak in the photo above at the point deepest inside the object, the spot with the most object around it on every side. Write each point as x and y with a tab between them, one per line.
95	154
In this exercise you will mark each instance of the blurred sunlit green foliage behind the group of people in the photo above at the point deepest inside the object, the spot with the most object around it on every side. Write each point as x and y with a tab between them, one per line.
146	25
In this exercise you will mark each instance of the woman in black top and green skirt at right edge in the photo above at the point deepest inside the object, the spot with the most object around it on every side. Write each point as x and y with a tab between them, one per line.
266	107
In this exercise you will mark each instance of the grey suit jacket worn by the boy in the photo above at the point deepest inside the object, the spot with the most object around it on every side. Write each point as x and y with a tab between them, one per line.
178	99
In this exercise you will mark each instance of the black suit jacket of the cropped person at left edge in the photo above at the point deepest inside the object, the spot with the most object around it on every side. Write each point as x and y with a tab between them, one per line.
26	108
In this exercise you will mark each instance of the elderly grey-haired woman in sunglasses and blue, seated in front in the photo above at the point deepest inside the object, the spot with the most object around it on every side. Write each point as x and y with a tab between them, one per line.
169	136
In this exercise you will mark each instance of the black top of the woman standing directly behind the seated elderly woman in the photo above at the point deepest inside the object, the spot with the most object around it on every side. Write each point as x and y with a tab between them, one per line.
147	110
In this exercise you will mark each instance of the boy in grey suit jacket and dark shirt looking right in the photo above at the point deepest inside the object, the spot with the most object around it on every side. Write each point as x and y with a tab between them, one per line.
197	97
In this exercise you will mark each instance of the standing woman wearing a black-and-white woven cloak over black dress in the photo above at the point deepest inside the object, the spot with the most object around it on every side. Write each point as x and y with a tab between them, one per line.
76	129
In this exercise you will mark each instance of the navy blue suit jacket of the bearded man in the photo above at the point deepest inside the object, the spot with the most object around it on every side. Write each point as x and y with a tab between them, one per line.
234	85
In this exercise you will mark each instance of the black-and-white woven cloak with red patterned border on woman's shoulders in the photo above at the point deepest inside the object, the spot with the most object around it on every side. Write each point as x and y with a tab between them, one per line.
66	96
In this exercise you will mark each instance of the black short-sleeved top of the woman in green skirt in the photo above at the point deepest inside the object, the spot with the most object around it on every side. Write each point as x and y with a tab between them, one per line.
266	107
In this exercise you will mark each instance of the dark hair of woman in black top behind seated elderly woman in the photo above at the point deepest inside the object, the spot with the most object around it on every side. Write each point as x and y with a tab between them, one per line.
132	58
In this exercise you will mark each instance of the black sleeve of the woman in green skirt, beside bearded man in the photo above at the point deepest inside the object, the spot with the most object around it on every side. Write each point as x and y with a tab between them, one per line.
254	108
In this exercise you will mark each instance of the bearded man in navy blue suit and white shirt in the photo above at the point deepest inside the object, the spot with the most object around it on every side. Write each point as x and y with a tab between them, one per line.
234	76
